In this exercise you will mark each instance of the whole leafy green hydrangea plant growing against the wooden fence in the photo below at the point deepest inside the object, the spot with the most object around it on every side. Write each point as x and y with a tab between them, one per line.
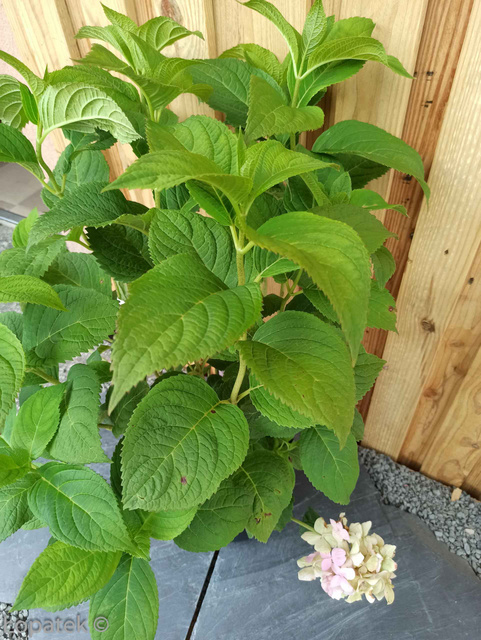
217	389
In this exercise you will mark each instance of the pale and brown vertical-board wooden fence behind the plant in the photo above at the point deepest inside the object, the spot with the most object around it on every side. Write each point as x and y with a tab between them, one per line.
426	407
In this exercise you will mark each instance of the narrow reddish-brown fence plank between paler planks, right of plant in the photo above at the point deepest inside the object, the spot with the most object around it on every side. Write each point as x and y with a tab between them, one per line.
443	35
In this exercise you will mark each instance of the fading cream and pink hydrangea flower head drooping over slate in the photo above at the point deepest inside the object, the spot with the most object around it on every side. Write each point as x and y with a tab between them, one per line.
350	561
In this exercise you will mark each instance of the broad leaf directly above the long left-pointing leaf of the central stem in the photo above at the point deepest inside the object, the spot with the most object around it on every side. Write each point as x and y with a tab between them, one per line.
200	135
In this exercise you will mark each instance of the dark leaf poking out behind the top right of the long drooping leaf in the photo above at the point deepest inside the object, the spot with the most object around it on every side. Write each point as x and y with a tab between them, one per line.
371	230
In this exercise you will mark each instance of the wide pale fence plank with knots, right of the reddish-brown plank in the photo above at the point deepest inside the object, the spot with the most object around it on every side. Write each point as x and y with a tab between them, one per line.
434	280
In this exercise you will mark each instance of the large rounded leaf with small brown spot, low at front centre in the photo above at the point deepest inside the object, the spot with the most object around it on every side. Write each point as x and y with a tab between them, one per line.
181	443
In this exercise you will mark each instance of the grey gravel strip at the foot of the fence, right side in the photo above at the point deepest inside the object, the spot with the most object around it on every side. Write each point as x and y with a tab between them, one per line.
457	523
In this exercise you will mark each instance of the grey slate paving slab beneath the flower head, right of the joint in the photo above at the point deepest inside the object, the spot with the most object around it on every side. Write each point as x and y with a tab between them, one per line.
254	593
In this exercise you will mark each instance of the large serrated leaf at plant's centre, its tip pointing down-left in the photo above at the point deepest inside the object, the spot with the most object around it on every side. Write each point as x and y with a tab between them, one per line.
202	317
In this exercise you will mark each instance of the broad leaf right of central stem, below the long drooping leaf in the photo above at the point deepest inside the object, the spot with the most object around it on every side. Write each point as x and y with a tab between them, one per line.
312	373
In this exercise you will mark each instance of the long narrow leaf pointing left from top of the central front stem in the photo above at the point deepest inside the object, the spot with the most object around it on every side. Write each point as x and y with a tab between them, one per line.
164	169
